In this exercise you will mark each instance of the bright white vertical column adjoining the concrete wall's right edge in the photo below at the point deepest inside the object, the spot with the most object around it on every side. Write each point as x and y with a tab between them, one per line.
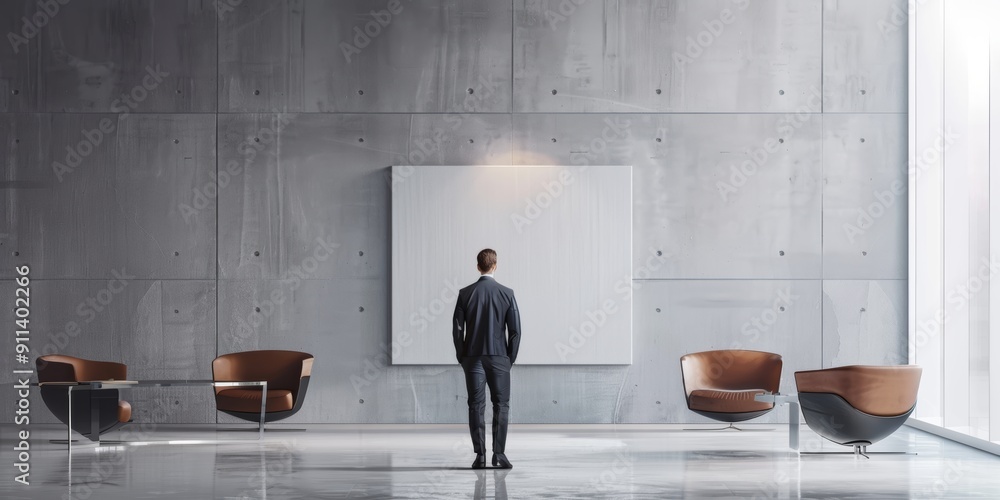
926	202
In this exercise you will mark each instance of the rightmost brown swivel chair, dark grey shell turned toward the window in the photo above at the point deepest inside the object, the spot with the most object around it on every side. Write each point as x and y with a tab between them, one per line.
857	405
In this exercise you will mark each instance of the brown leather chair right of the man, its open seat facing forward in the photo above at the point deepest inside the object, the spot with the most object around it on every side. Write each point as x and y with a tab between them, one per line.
721	385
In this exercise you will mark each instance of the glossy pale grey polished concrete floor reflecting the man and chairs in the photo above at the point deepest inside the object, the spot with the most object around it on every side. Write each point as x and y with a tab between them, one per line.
550	461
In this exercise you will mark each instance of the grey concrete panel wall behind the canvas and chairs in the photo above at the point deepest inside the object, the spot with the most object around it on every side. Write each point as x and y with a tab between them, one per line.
237	196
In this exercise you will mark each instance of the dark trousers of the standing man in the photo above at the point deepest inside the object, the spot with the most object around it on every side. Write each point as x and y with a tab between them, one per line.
494	371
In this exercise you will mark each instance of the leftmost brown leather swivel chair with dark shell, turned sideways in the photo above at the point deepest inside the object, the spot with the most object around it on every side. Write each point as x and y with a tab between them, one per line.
95	412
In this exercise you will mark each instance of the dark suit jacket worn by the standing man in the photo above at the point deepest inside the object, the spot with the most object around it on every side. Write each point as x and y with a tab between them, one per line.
483	310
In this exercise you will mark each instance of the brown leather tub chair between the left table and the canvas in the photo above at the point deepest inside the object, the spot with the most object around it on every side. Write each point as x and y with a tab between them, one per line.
286	372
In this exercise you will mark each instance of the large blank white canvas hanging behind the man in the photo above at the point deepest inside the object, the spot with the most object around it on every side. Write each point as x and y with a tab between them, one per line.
563	235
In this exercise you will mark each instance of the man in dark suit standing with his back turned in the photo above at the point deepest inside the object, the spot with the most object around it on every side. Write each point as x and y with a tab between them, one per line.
484	309
